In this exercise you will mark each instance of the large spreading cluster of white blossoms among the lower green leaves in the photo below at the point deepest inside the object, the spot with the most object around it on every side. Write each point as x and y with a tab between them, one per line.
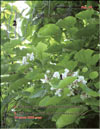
73	88
